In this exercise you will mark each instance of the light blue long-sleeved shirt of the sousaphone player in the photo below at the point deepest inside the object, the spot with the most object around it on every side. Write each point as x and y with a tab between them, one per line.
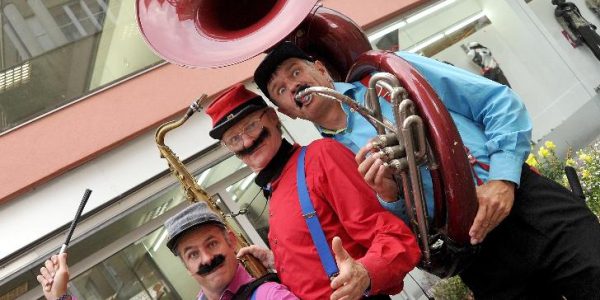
491	120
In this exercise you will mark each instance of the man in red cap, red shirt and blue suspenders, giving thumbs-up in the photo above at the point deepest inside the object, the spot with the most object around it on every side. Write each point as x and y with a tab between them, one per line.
317	201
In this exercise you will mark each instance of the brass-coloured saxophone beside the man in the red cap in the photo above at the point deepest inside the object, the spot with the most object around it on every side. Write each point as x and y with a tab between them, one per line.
193	192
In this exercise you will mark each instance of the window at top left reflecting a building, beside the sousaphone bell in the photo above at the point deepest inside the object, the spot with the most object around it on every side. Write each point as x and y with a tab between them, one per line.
55	51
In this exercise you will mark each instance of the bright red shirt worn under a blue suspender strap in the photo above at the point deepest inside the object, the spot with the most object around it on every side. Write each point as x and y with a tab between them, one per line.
347	207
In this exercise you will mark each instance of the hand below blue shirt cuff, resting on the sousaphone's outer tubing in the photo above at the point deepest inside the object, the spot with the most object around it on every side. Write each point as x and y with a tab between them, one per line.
496	198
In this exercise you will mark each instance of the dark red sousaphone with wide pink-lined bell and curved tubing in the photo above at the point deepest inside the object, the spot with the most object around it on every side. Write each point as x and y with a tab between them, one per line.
219	33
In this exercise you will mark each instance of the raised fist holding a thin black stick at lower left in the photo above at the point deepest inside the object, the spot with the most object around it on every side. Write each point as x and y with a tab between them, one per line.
54	276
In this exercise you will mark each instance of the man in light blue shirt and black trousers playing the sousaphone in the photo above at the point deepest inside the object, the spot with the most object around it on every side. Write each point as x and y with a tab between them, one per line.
521	215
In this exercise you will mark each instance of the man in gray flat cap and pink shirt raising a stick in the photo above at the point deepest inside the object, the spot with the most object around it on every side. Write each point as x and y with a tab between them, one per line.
199	237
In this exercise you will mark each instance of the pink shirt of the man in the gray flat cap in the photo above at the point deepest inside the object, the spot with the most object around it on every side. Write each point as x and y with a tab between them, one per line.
266	291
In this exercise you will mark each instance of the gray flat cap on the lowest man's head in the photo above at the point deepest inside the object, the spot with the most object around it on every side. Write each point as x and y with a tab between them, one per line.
189	219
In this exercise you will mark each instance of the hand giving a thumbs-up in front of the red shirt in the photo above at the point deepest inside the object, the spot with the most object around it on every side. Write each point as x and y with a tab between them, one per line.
353	279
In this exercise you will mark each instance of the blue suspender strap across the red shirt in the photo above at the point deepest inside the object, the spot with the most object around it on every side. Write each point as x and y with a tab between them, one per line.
312	221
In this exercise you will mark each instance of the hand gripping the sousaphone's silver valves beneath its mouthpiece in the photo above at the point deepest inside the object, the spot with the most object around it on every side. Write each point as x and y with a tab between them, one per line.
377	176
